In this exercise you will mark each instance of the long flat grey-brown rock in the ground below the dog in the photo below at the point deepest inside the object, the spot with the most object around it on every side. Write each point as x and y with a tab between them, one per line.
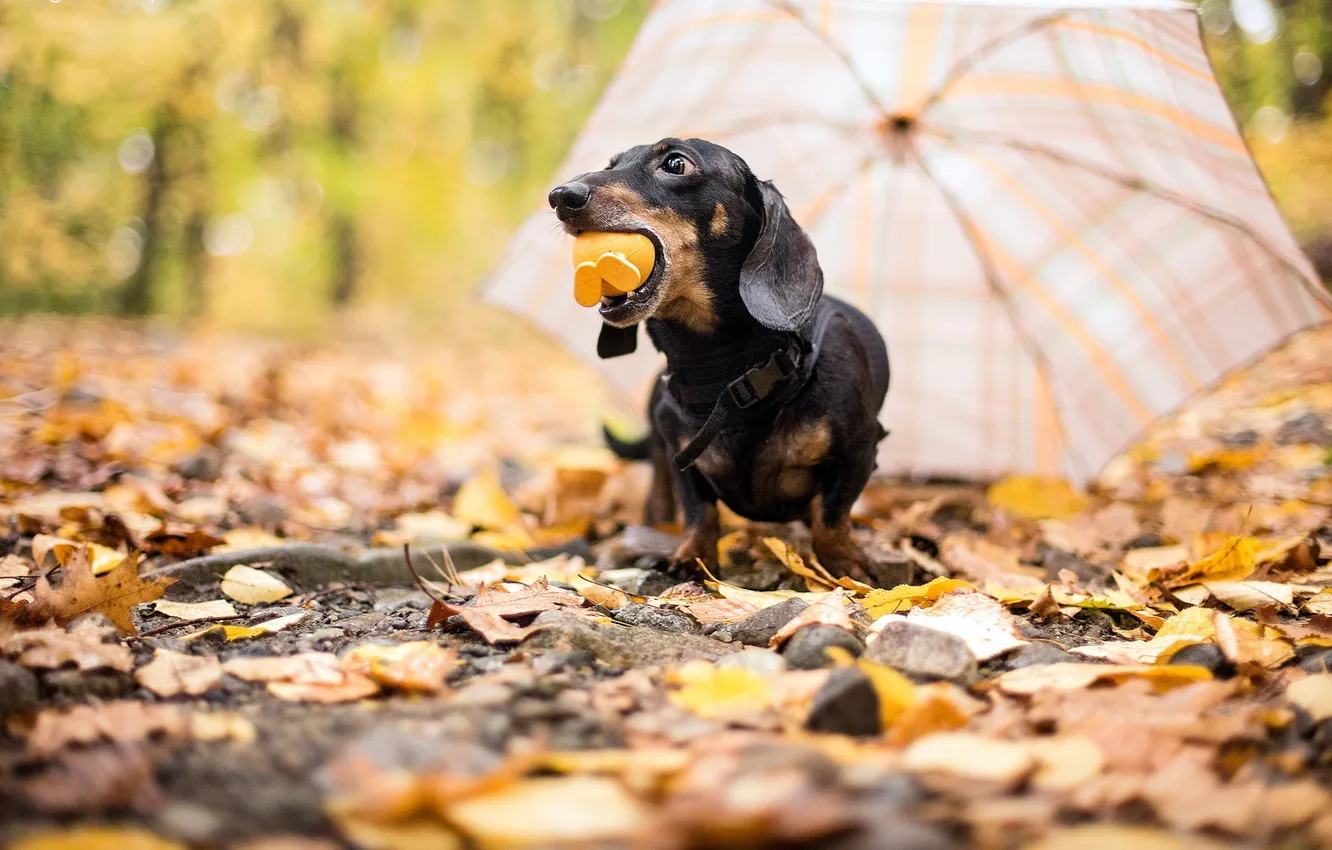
620	645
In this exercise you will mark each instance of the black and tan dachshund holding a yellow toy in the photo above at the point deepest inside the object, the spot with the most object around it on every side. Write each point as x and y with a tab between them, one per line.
772	390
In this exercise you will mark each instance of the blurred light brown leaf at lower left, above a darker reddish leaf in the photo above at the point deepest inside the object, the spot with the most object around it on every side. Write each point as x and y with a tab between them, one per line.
121	721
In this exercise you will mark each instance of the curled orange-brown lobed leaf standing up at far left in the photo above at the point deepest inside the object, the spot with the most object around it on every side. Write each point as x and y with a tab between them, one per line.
81	592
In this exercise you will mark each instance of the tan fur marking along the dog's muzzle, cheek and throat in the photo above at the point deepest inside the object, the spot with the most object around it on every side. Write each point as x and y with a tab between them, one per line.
684	296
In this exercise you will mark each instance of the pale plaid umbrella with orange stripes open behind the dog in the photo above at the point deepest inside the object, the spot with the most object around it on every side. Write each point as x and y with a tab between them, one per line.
1046	207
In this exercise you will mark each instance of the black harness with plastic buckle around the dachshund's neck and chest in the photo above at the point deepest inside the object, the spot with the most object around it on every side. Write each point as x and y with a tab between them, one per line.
764	387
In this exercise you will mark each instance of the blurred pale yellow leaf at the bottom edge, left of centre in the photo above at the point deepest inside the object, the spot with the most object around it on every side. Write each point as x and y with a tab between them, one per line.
549	812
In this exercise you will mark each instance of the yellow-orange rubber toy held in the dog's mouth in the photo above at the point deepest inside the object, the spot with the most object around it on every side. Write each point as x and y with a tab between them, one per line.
616	272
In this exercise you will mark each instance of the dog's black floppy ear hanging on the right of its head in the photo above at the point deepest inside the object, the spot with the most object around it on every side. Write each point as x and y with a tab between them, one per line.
781	280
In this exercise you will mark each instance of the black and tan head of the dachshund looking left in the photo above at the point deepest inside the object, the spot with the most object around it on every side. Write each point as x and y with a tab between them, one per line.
725	242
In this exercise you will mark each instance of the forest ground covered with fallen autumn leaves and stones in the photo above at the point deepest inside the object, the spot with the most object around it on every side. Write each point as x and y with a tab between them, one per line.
274	596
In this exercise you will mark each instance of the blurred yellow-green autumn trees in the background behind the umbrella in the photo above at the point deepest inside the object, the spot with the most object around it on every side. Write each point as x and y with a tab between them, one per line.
295	166
